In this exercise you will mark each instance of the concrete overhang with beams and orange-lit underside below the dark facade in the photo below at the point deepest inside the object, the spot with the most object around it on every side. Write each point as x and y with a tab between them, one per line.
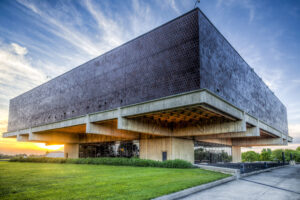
200	115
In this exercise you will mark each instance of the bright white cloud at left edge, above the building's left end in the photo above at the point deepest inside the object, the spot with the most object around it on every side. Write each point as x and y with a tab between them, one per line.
17	75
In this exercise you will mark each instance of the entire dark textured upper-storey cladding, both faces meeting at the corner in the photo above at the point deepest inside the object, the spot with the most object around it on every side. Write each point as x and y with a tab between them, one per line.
185	54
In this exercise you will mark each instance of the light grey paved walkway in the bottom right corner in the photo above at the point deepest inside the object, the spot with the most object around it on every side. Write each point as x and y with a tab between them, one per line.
278	184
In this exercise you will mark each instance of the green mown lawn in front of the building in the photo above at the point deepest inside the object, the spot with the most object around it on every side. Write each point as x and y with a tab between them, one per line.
71	181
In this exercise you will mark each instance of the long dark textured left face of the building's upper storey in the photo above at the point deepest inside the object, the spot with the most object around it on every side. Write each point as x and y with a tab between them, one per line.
160	63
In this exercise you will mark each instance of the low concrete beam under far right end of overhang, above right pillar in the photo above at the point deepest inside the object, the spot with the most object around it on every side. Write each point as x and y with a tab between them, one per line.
258	142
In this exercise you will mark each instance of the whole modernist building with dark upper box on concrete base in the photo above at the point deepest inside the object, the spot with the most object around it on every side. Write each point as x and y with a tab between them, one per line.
177	88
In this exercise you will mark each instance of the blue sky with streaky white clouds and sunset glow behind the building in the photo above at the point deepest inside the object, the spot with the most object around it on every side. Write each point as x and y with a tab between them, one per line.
40	40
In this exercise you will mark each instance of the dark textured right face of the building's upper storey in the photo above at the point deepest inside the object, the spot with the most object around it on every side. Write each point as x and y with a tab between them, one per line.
224	72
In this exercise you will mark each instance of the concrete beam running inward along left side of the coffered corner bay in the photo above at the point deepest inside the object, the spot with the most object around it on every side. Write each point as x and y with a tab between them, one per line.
147	127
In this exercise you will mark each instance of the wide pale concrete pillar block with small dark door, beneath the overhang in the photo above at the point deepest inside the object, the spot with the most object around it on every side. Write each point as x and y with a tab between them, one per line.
173	148
